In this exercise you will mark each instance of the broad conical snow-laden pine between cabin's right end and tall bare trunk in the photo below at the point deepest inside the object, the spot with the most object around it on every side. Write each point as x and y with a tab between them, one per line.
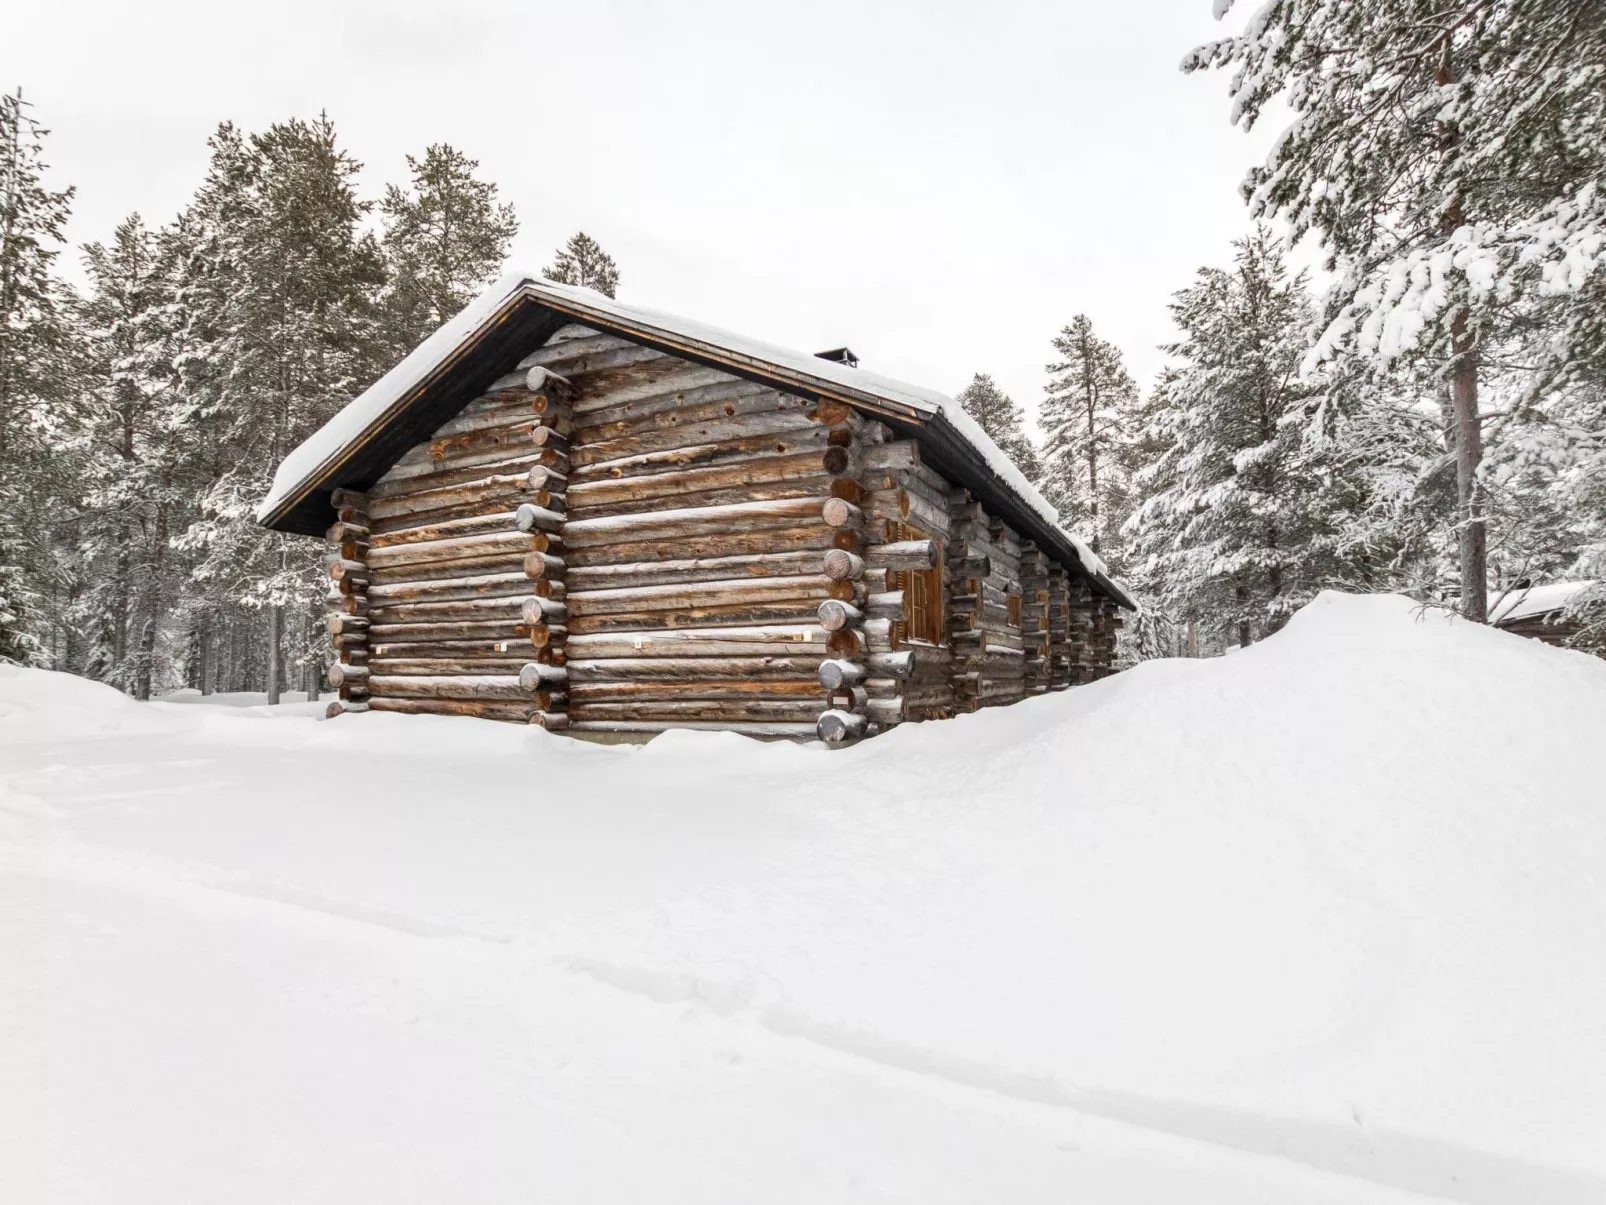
1225	534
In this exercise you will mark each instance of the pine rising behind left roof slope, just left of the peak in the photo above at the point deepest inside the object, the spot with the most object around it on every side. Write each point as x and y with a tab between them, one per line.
446	237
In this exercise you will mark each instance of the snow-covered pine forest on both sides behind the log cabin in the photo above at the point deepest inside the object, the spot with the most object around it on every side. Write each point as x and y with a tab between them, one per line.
1421	411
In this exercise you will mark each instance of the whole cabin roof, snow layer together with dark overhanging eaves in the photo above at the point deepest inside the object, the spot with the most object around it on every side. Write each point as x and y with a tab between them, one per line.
494	335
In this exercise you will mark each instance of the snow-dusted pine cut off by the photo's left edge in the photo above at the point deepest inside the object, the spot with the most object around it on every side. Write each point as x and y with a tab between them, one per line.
35	375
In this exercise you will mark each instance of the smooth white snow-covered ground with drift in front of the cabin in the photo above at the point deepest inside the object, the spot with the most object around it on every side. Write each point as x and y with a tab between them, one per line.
1324	921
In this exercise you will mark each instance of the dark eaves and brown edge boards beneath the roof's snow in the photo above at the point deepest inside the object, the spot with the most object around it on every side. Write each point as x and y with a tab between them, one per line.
526	322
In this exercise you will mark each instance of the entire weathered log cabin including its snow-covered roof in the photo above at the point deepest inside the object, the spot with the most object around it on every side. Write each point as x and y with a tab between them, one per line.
601	520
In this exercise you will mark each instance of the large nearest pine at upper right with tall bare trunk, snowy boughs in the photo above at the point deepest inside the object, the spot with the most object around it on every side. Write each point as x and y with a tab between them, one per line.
1451	155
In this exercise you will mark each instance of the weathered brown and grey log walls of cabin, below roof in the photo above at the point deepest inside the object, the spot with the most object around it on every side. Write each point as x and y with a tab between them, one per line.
618	541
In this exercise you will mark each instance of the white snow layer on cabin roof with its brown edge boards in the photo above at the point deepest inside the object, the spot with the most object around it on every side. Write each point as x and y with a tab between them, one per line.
317	462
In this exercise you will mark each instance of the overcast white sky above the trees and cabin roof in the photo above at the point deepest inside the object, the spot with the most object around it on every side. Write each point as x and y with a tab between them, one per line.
939	186
